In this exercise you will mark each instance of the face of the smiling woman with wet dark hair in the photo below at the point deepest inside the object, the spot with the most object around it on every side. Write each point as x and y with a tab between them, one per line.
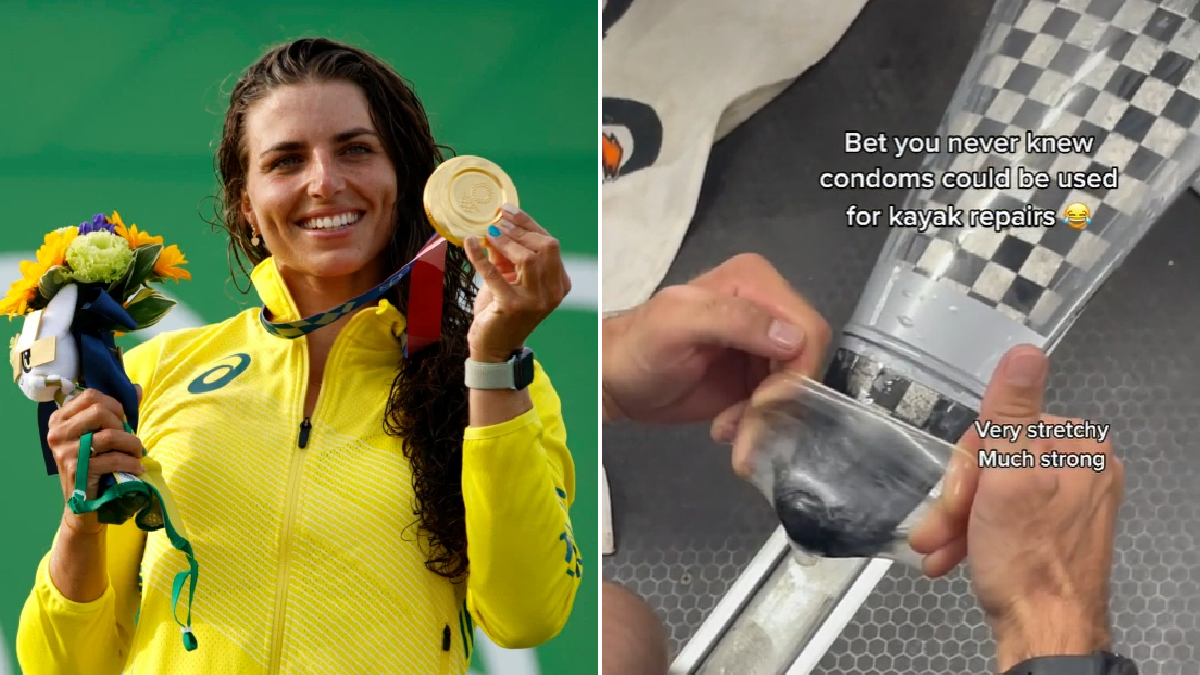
321	189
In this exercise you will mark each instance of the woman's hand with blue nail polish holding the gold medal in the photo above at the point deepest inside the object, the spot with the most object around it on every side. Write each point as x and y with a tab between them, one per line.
524	282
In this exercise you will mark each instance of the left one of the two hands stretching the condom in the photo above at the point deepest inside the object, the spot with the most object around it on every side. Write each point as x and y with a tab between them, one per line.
698	353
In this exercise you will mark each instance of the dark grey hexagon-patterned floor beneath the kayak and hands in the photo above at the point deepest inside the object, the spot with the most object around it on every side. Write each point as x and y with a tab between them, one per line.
686	528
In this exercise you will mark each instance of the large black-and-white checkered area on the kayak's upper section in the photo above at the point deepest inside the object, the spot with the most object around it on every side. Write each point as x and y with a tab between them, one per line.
1119	71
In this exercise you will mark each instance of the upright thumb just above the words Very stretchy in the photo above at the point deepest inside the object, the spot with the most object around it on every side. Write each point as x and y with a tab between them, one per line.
1017	391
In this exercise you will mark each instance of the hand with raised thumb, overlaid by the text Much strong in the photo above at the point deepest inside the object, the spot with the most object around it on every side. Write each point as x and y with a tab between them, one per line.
1040	540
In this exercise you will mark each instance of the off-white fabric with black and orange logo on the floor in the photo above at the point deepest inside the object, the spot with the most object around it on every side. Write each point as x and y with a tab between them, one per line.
680	75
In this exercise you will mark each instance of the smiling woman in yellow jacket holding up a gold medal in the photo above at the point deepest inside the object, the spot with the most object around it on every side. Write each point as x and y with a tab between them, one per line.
332	473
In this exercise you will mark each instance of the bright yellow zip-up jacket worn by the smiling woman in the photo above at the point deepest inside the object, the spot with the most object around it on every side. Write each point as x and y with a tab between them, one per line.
309	560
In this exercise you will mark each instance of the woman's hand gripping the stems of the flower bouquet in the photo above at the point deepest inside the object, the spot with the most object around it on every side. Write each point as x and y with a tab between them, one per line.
113	450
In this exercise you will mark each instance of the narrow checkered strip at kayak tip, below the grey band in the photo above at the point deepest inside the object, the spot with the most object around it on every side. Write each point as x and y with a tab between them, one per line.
873	385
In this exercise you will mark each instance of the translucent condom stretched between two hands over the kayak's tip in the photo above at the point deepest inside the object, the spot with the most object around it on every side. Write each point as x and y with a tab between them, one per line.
845	480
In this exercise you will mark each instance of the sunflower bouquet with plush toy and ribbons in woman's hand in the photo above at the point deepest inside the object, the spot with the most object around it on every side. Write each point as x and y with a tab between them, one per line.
88	284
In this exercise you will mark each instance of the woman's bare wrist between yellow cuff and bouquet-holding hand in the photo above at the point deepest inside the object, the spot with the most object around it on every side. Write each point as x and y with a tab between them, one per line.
79	566
